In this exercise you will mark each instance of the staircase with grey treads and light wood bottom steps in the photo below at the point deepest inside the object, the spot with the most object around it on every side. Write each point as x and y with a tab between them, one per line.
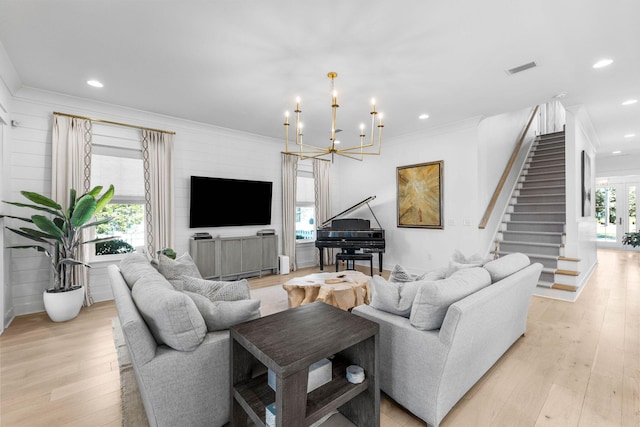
534	223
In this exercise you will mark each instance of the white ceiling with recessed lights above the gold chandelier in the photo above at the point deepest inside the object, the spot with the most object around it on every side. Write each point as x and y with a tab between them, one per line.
241	64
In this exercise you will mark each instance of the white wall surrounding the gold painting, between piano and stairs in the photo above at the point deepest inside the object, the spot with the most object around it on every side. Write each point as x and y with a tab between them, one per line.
414	248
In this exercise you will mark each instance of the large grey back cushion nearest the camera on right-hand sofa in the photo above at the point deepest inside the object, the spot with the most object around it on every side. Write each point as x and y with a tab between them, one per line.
434	298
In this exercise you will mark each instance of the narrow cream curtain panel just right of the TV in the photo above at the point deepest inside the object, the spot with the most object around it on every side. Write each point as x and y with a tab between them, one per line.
289	178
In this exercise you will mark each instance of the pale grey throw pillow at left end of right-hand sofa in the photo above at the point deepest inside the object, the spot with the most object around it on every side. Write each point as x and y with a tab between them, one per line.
393	297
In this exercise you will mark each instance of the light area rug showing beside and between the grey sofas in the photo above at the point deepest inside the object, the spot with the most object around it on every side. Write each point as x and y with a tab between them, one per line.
272	300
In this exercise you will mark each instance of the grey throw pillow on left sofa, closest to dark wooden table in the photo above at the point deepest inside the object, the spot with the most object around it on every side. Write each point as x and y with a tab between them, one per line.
220	315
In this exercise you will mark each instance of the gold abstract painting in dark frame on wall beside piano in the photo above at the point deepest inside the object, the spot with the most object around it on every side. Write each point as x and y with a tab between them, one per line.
420	195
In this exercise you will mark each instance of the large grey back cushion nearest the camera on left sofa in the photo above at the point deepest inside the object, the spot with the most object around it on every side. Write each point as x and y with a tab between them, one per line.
172	316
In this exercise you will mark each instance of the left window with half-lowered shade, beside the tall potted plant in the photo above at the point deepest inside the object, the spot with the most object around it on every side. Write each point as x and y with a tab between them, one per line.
117	160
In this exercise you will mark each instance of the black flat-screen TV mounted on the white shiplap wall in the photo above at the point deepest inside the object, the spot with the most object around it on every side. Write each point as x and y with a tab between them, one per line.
221	202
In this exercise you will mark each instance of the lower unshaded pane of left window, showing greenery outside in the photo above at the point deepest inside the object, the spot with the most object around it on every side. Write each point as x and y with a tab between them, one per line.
127	223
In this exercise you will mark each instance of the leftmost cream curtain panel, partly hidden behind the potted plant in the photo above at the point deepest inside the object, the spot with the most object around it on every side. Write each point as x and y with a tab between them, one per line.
71	168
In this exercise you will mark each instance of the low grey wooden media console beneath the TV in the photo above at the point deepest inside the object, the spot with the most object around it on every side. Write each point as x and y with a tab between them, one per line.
235	257
